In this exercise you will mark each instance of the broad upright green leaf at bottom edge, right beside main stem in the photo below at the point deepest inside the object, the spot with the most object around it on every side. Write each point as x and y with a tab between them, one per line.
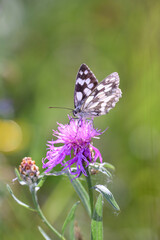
97	223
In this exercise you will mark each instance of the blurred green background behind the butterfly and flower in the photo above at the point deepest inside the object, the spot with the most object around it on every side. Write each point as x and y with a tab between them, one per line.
42	45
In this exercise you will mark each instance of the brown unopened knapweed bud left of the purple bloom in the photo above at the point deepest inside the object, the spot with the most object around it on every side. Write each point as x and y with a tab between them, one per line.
28	170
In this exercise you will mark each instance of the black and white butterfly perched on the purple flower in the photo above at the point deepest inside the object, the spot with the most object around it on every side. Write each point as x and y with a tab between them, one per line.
92	99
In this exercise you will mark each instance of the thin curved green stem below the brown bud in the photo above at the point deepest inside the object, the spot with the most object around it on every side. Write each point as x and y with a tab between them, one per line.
35	200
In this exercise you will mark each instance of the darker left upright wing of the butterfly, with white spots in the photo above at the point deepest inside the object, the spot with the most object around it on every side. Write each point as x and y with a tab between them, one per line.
85	83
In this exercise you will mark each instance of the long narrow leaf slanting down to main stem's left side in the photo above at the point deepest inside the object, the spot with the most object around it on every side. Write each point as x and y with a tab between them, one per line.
83	195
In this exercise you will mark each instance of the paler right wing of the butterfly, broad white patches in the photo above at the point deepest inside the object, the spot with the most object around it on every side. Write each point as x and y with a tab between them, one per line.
103	97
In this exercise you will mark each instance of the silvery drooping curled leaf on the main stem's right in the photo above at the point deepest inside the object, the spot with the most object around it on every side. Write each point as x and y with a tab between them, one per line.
107	195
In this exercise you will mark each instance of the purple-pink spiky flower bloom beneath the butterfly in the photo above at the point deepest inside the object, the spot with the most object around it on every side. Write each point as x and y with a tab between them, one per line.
75	139
